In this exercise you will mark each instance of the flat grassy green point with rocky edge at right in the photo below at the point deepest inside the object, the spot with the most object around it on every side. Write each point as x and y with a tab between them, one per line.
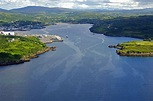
134	48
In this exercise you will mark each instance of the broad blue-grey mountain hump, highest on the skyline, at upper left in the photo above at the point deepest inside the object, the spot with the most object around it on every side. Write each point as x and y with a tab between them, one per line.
39	9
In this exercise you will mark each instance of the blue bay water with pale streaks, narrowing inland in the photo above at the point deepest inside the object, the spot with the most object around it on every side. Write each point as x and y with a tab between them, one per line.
82	68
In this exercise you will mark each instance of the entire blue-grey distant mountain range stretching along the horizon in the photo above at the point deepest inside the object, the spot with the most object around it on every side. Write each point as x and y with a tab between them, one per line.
40	9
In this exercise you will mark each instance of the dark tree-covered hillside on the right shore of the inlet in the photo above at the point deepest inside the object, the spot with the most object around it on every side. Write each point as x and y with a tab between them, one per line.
137	27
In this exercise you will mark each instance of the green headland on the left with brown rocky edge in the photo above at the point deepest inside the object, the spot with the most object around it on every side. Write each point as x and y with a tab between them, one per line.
19	49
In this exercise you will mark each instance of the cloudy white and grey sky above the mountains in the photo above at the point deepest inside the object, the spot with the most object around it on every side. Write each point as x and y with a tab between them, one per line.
81	4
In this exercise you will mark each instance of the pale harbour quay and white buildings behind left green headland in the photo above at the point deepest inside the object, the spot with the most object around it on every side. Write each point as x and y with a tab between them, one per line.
42	37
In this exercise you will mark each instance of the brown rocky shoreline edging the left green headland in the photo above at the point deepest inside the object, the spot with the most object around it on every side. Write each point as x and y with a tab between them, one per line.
27	59
